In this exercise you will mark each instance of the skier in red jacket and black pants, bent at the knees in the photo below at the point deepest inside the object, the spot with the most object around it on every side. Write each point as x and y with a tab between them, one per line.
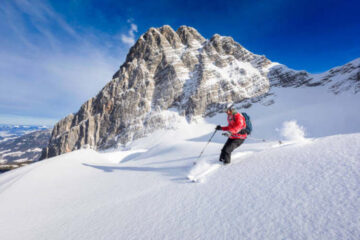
236	127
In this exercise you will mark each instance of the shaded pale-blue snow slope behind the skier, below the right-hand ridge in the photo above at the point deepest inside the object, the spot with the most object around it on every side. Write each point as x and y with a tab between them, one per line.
320	111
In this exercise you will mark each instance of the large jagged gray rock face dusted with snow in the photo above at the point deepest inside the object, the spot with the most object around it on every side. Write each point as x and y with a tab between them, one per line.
167	74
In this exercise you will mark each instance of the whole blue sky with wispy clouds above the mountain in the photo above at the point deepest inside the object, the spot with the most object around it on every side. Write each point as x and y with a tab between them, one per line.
54	55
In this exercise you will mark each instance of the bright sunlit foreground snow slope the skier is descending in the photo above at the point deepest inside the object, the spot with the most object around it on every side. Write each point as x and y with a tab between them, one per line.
298	190
